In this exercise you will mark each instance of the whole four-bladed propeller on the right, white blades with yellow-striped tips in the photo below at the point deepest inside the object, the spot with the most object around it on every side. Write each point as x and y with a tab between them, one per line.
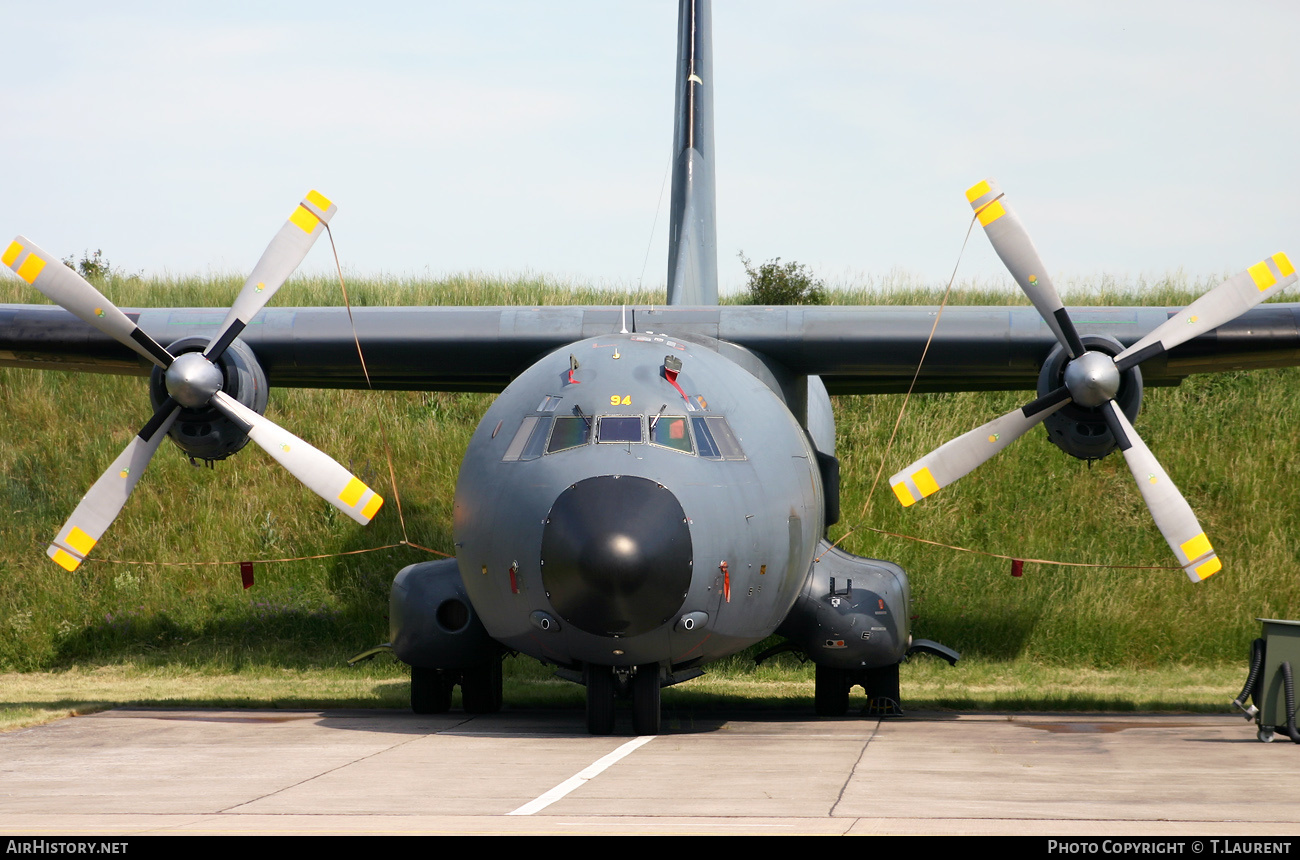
1093	381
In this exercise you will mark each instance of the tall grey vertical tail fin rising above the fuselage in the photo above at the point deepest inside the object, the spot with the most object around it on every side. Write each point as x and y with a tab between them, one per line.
692	227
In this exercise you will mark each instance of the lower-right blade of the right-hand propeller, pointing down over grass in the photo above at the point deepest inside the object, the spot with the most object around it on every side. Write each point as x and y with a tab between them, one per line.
1173	515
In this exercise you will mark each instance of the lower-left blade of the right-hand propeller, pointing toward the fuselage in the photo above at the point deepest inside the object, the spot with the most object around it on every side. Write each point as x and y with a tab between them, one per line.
963	455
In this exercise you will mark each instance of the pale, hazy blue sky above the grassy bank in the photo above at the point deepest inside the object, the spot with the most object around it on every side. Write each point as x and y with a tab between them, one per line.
509	137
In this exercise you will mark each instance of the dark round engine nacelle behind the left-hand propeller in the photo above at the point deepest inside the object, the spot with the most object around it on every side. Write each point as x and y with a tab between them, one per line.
205	433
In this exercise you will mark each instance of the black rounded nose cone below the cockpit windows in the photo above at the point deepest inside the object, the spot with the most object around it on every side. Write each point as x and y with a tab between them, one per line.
617	555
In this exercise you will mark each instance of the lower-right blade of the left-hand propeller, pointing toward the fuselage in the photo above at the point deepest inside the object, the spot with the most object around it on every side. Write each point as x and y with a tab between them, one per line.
317	470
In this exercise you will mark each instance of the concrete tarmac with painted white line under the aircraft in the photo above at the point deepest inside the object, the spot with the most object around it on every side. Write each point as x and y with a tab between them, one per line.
361	772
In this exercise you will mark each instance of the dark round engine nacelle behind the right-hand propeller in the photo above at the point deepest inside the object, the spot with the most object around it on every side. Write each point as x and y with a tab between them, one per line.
1082	432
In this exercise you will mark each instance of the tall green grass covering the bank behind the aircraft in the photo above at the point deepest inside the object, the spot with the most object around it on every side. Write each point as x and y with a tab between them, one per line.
1225	440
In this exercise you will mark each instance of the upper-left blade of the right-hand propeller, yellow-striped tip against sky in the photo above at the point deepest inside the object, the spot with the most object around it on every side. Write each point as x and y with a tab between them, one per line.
1016	249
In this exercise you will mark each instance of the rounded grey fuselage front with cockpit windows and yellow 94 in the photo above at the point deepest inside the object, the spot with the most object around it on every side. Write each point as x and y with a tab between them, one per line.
593	518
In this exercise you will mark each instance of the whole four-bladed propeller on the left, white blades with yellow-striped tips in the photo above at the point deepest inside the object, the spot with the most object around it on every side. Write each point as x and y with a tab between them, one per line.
193	381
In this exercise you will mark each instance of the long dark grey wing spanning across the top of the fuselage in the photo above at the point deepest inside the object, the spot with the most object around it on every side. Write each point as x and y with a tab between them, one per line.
856	350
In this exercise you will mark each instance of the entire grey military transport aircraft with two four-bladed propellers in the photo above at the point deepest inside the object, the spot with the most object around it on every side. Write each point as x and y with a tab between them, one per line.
652	488
